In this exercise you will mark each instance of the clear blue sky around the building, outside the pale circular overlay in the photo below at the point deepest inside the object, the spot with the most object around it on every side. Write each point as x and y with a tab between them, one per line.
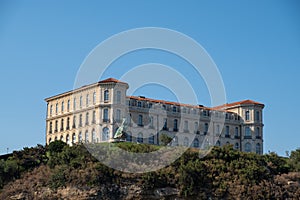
255	44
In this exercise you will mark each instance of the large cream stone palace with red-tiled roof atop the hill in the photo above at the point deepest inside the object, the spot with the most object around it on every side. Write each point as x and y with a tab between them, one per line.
93	113
